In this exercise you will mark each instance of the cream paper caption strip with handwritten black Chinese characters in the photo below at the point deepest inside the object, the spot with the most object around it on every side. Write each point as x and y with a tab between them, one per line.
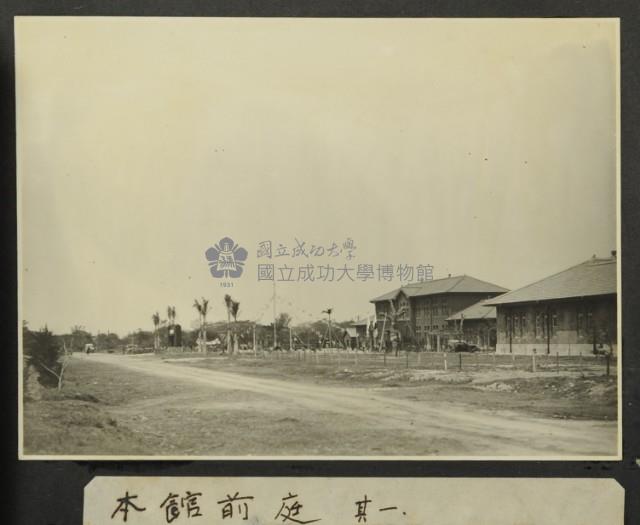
370	500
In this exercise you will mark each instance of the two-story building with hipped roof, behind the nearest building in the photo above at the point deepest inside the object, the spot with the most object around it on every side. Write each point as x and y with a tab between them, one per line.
419	311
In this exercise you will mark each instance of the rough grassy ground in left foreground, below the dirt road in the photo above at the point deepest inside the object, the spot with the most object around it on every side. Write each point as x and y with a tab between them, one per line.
108	410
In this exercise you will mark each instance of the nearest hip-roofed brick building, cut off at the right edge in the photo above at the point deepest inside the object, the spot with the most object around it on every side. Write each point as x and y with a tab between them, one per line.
572	312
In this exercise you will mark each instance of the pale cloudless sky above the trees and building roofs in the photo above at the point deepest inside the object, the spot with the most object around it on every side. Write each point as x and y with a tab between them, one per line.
481	147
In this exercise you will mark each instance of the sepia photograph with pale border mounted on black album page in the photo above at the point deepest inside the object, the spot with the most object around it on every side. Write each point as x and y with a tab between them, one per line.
318	238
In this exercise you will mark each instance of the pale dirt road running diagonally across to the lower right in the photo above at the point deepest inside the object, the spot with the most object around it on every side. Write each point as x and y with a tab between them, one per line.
456	429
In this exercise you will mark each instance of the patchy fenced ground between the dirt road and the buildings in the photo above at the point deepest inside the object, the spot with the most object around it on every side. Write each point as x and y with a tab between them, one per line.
573	392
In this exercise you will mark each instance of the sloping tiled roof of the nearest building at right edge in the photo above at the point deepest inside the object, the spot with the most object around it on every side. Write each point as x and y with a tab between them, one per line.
592	277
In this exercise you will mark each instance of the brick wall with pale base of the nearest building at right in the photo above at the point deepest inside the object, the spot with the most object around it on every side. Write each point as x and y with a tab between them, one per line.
565	327
